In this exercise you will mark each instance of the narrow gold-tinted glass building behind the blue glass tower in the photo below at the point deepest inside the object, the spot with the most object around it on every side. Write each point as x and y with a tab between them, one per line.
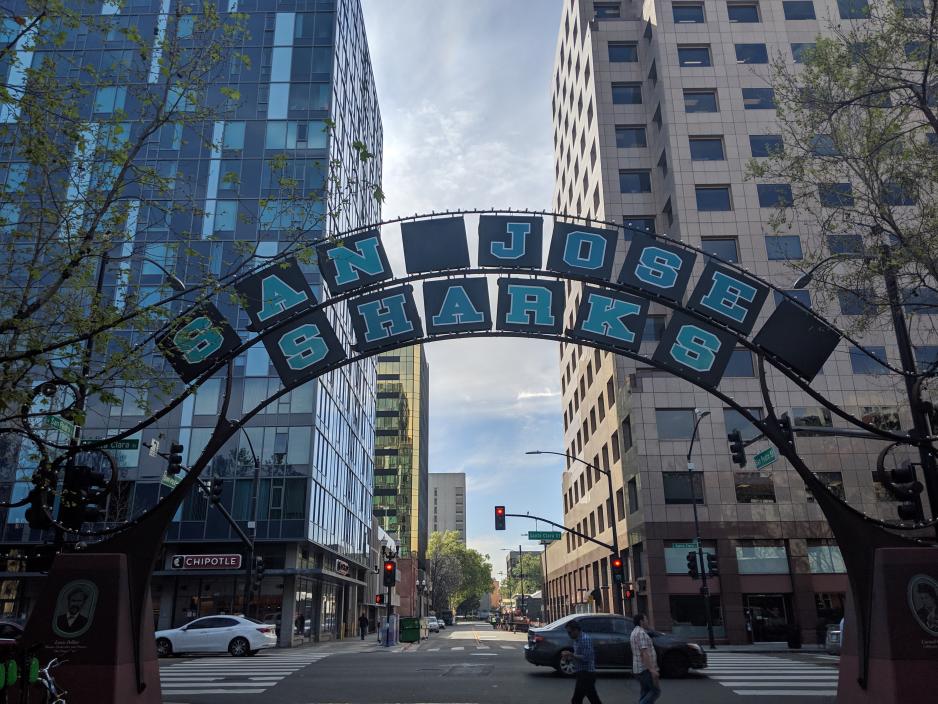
401	449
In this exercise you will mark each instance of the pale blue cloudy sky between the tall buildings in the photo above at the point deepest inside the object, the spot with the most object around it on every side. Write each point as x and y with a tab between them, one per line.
464	93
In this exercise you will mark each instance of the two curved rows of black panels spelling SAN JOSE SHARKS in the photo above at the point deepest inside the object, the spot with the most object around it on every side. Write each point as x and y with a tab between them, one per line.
721	307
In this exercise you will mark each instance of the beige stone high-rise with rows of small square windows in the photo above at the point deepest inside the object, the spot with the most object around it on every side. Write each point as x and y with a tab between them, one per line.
658	107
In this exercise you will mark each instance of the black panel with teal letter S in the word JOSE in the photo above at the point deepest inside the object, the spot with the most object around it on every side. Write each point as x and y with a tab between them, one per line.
653	265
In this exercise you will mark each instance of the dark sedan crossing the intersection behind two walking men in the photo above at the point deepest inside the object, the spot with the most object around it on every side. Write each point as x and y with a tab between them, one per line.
610	636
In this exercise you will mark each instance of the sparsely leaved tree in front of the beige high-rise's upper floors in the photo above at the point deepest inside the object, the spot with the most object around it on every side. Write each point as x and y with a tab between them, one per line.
859	125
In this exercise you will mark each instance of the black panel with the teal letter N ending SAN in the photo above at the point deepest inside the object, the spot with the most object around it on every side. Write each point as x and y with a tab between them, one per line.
353	261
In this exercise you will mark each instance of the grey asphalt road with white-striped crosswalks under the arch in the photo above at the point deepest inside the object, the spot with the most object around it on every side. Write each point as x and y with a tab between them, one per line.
473	664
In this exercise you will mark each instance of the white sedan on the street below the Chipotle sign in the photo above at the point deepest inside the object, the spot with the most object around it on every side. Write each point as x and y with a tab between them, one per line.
217	634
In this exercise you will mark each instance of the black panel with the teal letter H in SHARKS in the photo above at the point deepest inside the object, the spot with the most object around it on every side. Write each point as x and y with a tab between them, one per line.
385	318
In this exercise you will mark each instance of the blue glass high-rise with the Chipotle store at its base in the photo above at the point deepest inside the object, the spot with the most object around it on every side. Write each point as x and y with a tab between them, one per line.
301	92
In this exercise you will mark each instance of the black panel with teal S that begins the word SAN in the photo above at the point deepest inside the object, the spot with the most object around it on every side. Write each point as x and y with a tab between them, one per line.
196	340
